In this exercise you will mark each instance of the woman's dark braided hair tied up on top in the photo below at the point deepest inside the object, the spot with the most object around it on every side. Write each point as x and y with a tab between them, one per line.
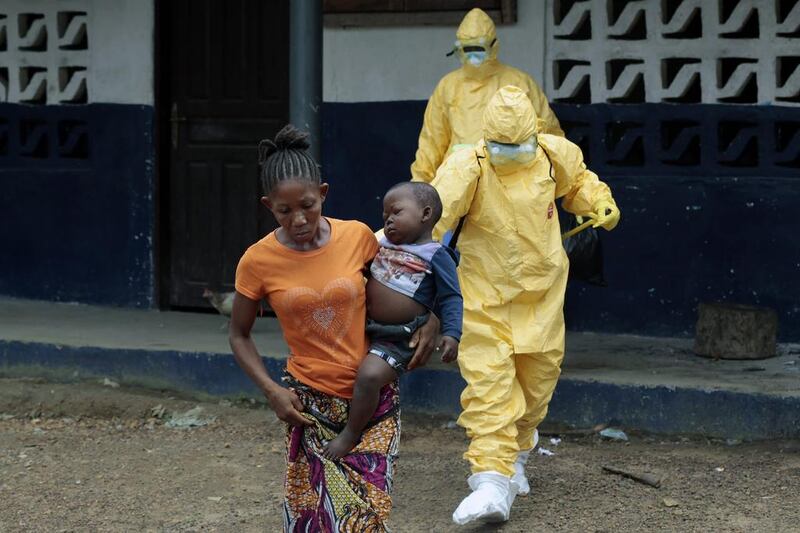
286	158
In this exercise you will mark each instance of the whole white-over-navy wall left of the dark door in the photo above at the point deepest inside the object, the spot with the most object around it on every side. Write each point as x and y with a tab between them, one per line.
76	150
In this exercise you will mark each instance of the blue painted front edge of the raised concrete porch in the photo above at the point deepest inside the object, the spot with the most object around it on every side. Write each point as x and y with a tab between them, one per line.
720	414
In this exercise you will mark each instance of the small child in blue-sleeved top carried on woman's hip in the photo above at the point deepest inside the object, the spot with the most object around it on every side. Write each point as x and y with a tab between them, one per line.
411	275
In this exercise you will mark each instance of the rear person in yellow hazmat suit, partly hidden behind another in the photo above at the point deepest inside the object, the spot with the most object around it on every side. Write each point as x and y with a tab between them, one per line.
453	115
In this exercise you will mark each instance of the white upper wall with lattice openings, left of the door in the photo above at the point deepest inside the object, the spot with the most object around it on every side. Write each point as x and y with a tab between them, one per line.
117	66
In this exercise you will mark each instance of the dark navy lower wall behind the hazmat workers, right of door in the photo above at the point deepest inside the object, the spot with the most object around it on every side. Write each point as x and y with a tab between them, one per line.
711	231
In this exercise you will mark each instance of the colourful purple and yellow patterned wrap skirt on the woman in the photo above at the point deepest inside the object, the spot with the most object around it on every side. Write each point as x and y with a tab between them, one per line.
353	493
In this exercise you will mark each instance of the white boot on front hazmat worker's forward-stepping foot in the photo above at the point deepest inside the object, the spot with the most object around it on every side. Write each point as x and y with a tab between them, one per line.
491	499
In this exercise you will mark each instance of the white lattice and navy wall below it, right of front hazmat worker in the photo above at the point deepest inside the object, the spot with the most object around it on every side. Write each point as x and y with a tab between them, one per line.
690	109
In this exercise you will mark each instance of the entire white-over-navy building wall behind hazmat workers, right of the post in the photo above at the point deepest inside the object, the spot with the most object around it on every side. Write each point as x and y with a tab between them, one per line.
688	109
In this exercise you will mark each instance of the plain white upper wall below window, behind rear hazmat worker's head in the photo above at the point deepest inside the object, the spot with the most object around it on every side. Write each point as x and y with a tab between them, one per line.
405	63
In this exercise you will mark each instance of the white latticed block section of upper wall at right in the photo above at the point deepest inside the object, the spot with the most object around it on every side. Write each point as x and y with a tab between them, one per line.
742	52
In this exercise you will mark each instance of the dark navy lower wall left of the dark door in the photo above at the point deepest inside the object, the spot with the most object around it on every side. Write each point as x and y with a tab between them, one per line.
77	201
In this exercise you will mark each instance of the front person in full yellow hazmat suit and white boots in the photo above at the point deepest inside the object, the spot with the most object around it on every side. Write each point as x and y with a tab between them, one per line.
513	274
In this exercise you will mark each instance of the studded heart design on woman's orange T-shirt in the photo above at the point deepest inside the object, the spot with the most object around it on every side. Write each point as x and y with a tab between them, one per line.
326	315
